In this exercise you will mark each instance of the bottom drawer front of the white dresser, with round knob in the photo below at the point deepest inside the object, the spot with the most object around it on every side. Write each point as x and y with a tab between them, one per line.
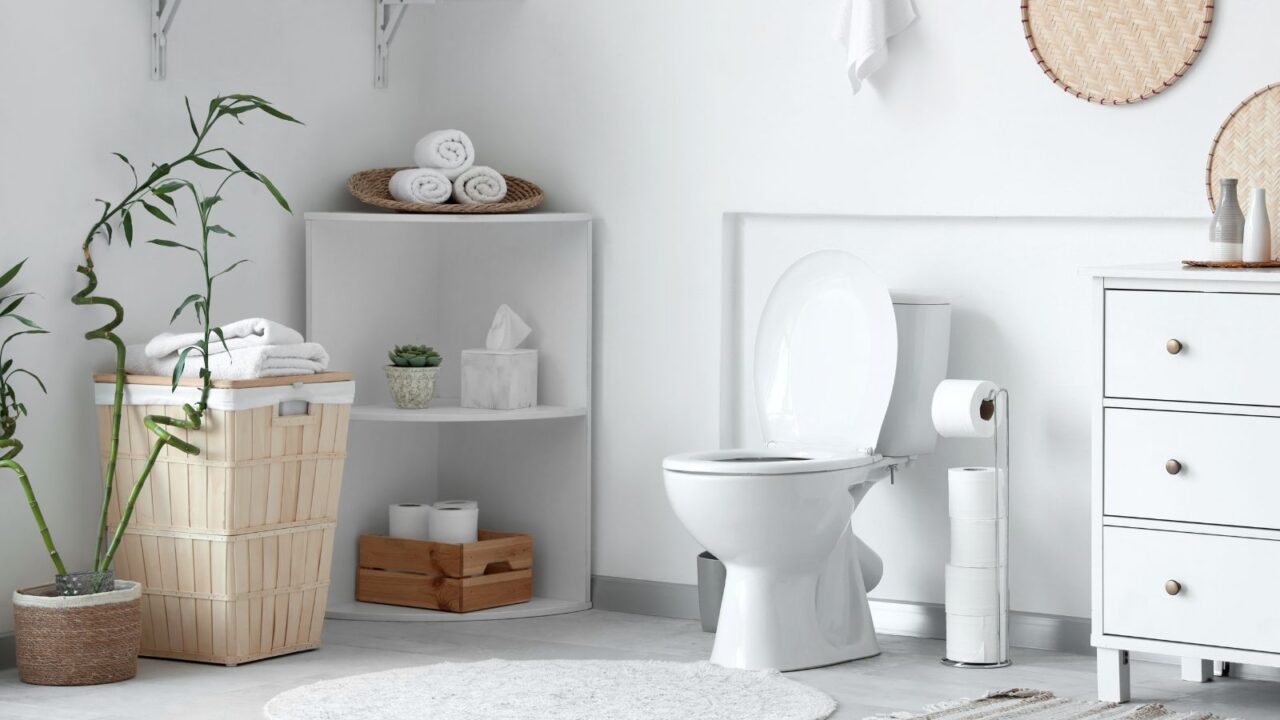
1227	589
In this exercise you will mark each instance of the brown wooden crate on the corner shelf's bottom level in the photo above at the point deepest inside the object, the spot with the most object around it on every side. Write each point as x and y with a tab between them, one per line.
459	578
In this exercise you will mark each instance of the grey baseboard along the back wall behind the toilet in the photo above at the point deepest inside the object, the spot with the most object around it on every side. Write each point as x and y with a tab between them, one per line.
893	618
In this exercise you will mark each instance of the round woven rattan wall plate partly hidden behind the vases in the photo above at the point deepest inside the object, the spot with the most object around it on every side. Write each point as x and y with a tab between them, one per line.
1247	148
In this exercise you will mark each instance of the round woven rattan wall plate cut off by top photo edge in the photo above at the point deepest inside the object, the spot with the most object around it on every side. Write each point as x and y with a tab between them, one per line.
1116	52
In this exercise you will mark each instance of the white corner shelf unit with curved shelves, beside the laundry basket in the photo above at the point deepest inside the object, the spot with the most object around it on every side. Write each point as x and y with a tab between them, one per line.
377	280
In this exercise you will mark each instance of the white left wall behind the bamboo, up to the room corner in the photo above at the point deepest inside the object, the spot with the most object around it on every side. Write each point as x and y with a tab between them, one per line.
76	81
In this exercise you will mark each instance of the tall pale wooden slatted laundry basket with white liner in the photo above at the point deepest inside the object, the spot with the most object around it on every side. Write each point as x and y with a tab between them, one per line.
232	546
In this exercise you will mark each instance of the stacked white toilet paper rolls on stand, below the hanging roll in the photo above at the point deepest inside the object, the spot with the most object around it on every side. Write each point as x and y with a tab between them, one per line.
977	575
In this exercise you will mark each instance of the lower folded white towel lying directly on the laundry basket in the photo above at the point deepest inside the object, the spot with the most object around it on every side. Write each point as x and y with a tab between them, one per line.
246	363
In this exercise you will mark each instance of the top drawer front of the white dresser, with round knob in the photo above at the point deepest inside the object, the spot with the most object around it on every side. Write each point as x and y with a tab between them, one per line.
1231	347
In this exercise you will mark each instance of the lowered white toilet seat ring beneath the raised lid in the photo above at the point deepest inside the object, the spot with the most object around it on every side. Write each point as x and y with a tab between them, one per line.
772	462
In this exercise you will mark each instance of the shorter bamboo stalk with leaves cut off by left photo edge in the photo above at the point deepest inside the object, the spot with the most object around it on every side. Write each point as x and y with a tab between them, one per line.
12	409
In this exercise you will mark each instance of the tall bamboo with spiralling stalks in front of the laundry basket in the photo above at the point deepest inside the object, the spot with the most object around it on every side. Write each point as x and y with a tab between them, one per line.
157	198
